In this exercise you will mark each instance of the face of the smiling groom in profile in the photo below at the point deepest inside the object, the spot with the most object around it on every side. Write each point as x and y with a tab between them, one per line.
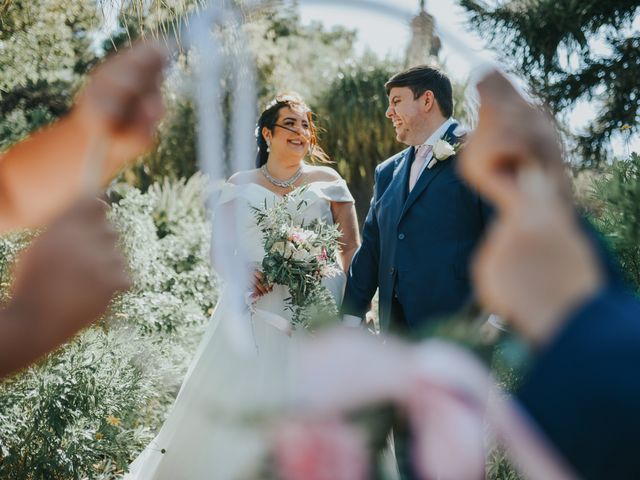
408	115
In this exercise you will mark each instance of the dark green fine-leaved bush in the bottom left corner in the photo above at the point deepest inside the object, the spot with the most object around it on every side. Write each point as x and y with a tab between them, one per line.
62	418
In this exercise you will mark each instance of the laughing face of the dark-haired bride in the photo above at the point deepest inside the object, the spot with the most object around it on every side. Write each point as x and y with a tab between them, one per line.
291	135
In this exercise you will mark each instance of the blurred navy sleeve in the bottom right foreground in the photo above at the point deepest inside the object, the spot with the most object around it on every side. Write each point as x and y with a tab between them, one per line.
584	389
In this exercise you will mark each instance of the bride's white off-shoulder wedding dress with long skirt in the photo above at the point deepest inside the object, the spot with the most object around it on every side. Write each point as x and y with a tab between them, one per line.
211	431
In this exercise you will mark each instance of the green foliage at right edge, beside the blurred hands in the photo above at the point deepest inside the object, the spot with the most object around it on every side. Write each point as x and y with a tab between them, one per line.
618	193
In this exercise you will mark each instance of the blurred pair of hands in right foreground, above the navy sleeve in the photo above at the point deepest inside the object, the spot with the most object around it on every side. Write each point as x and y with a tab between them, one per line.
535	264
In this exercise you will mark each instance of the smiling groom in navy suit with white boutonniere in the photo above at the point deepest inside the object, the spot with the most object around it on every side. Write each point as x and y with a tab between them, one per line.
424	221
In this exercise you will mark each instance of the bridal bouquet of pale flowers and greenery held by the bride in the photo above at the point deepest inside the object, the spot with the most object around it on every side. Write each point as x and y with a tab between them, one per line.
299	256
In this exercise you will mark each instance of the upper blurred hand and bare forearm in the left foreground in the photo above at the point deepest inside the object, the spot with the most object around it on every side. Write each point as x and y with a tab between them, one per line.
112	122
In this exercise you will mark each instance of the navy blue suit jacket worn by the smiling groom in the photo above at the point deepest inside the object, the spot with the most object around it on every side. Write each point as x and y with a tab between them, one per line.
416	245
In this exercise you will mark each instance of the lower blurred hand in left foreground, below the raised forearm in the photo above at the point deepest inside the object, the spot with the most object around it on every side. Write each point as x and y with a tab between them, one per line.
63	282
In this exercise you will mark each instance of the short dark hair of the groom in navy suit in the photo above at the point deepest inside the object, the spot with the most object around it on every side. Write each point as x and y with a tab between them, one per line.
422	78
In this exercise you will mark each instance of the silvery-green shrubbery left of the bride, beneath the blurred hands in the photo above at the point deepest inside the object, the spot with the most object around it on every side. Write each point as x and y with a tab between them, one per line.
86	410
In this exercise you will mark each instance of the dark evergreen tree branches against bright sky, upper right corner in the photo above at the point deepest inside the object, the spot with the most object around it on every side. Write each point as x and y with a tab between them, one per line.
569	51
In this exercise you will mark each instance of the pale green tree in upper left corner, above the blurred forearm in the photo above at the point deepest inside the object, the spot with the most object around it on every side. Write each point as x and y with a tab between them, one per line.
46	50
